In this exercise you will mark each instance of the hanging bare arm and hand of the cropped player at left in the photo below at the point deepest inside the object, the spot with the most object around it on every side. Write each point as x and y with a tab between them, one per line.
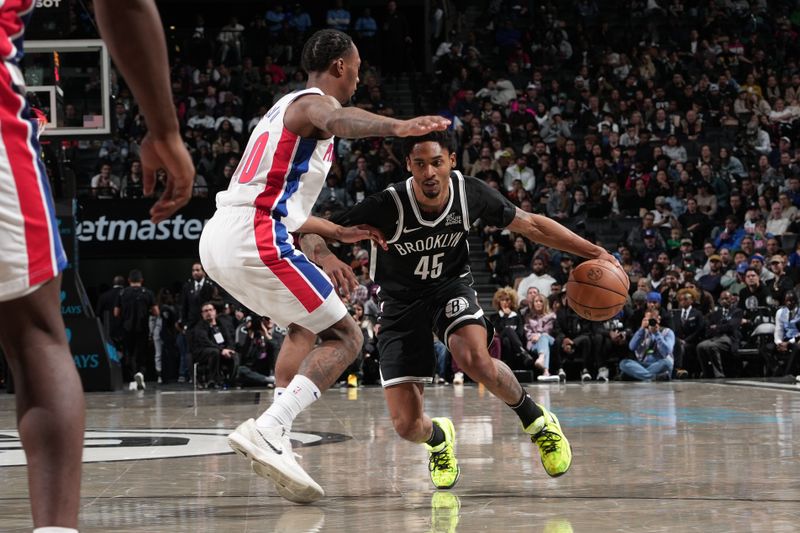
133	32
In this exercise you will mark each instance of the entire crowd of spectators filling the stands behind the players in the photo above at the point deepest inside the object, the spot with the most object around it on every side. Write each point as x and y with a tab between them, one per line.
666	130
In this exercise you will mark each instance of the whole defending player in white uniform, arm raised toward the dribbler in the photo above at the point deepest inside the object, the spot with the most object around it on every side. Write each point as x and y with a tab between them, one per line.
248	249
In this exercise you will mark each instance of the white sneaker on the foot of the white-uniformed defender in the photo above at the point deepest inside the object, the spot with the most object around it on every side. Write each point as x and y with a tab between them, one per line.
270	451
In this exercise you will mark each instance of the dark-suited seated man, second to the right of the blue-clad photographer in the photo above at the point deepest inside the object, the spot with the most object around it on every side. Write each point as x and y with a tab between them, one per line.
722	337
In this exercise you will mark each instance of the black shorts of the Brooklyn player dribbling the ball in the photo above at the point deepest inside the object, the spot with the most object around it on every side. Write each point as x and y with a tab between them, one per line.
405	341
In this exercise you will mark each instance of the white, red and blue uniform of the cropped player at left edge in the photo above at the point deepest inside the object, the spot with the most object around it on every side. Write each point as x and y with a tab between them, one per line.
30	248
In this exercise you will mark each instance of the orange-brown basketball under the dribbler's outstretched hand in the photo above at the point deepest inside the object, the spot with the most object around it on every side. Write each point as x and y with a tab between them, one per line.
597	290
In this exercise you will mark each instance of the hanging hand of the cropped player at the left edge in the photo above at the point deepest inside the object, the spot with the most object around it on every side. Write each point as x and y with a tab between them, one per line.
170	154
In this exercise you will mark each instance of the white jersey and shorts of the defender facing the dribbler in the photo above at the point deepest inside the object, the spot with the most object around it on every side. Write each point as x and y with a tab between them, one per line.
247	245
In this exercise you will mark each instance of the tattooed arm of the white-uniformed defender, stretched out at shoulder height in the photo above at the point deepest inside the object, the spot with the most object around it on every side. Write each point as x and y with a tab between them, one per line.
352	122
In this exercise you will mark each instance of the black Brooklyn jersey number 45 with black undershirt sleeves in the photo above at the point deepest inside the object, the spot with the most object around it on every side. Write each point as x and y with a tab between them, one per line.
426	252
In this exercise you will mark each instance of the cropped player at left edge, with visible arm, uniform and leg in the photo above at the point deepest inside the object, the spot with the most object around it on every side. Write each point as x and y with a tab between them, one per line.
50	407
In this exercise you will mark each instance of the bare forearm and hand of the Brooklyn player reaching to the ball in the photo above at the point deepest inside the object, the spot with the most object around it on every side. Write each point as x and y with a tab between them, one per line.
550	233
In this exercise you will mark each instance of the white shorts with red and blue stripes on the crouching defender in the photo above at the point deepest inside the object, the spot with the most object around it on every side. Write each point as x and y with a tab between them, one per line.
252	256
